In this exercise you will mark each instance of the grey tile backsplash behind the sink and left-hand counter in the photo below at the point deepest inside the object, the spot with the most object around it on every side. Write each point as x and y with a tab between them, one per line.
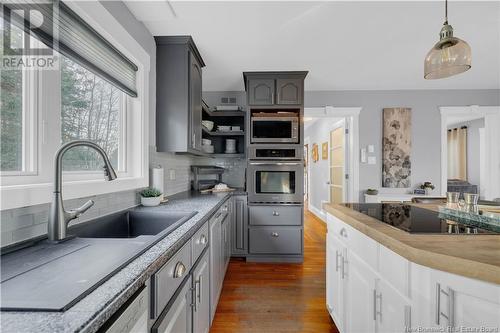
24	223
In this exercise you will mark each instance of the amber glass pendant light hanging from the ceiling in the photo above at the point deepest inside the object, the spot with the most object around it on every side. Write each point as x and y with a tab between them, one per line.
450	56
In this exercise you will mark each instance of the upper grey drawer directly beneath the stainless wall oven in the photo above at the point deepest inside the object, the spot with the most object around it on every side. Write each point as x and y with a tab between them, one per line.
275	215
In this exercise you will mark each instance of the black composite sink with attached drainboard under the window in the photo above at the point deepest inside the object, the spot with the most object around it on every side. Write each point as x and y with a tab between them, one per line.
53	277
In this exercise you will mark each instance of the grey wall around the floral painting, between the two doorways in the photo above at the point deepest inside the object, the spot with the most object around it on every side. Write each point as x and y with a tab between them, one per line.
426	125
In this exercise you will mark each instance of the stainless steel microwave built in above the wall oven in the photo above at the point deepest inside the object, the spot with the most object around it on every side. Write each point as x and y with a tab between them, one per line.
274	128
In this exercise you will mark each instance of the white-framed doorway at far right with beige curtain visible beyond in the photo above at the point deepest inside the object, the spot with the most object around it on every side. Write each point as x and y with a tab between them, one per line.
469	156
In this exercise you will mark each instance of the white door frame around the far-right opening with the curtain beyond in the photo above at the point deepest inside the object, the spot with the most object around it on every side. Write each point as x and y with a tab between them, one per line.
491	116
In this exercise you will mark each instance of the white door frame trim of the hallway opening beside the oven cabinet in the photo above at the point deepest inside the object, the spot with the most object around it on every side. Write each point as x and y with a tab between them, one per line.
351	116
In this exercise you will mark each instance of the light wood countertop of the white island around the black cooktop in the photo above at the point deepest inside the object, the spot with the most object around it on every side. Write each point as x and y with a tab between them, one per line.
474	256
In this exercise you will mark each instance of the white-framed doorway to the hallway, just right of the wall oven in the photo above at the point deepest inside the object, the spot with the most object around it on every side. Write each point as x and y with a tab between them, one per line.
332	169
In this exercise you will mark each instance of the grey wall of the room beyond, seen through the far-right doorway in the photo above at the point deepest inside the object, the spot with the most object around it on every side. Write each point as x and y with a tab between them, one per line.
473	144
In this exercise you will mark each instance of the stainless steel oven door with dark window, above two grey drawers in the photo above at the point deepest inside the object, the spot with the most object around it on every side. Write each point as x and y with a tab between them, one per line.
275	182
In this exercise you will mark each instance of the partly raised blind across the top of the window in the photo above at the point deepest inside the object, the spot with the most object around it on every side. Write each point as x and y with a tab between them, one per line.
60	28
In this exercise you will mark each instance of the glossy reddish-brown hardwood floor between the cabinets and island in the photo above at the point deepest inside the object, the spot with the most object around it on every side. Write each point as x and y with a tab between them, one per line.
260	297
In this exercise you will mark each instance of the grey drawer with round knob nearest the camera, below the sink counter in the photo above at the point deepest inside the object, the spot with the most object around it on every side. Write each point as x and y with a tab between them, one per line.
169	278
